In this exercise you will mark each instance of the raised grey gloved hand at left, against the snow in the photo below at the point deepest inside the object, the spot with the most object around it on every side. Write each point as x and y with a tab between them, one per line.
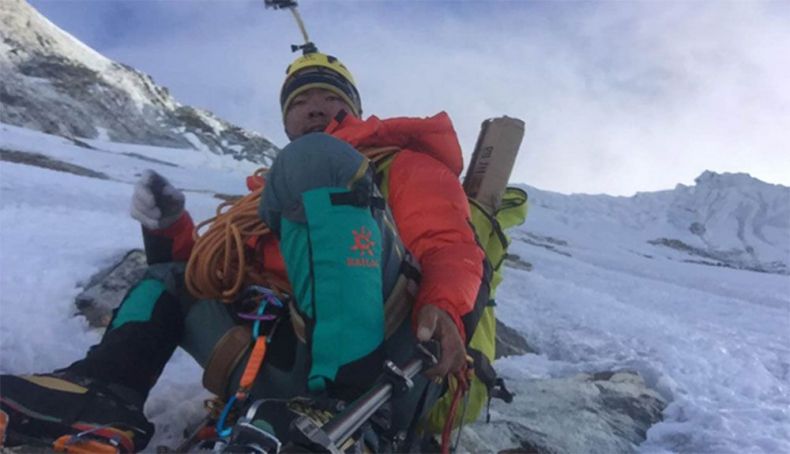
156	203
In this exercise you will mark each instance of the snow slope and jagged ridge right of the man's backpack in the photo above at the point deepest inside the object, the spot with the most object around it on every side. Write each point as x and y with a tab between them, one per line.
698	322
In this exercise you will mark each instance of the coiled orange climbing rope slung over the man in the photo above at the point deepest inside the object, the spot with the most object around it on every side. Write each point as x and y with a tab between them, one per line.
222	263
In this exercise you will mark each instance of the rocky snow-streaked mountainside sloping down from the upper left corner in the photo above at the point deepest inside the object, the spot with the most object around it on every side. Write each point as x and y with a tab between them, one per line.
53	83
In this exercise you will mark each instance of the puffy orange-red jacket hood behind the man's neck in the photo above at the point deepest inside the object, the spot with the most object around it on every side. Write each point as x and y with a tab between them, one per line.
434	135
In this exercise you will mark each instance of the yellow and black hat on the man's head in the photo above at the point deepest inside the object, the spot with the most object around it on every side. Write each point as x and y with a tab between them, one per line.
317	70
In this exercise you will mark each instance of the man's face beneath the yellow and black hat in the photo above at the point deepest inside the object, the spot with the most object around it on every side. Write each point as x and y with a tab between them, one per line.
311	111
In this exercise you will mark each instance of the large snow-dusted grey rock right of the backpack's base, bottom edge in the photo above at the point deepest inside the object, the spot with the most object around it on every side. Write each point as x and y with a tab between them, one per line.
608	412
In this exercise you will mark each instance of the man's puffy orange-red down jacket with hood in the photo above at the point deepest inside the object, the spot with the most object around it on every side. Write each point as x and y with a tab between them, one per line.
427	201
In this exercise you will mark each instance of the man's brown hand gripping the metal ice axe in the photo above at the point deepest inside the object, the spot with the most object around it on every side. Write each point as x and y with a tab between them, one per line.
434	323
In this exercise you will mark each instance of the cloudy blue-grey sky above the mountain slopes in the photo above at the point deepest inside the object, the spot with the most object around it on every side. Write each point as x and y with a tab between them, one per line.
618	97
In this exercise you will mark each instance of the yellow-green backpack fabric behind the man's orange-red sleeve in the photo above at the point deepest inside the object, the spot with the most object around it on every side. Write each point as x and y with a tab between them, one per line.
490	232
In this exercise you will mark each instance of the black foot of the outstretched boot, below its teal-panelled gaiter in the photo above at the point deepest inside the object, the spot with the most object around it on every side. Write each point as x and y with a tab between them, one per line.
66	411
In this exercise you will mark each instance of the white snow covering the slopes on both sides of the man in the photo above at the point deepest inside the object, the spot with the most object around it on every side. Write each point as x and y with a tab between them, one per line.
713	340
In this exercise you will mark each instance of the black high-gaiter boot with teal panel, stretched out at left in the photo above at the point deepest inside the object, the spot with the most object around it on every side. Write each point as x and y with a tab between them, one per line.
99	399
